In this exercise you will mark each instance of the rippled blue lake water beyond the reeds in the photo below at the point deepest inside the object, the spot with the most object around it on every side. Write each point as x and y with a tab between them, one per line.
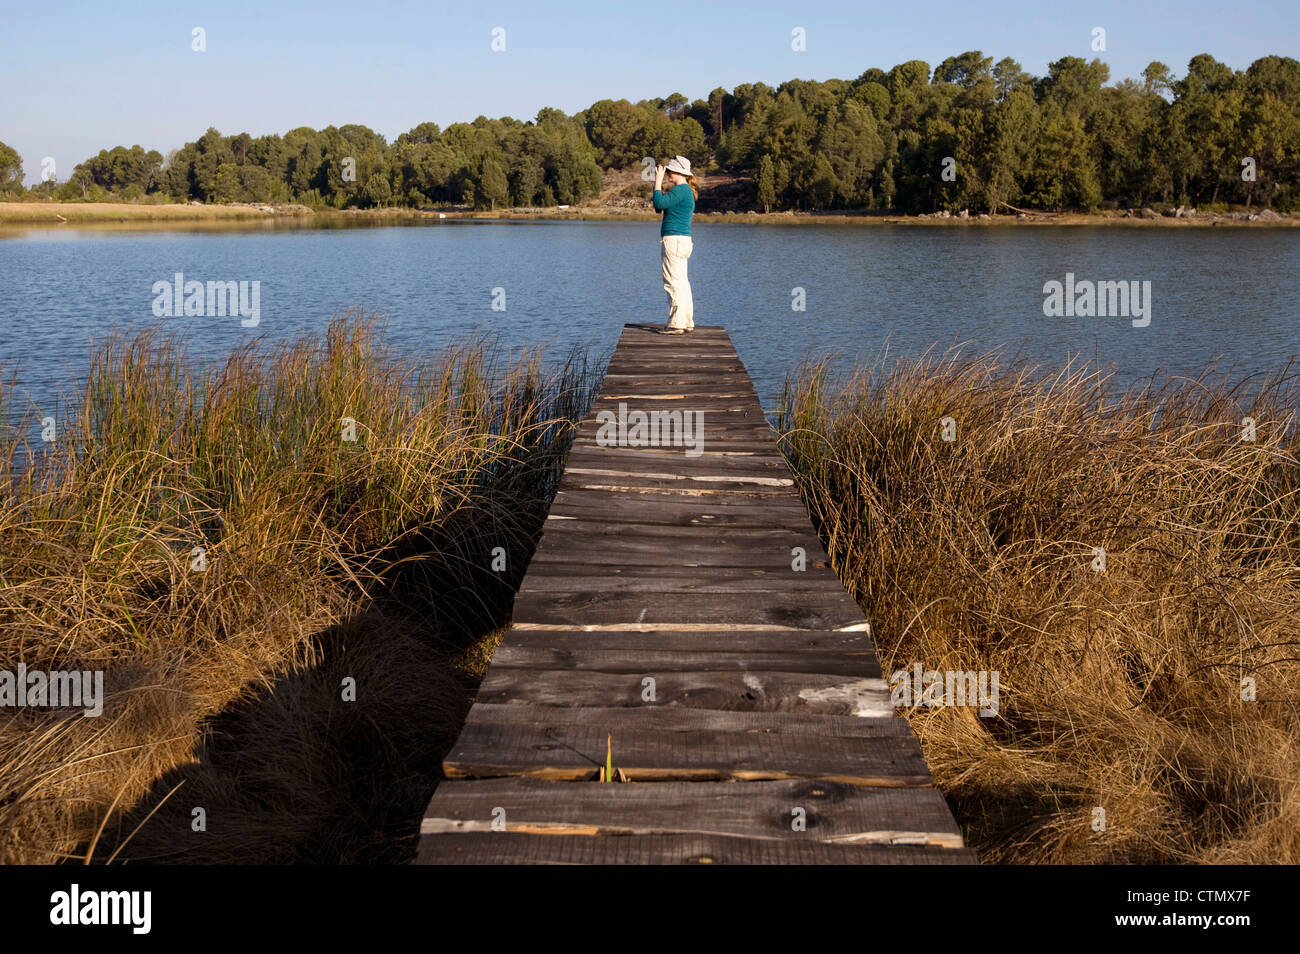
1215	294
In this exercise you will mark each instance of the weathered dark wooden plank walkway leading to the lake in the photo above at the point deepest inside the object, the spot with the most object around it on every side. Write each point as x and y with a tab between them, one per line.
664	610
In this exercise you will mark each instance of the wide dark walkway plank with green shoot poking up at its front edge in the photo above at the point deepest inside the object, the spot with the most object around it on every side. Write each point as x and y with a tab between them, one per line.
575	753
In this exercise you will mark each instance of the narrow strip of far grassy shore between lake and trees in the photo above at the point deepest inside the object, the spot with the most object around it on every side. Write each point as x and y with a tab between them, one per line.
28	214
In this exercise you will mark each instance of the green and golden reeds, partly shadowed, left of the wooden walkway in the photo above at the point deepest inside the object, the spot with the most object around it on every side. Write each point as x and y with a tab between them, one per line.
324	560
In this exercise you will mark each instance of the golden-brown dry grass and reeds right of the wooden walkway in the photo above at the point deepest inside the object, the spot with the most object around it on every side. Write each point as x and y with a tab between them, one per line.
1120	690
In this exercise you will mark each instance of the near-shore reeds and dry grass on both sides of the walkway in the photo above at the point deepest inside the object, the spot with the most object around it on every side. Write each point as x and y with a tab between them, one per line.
331	561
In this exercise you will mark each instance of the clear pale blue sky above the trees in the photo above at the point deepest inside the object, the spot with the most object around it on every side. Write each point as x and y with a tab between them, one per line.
80	77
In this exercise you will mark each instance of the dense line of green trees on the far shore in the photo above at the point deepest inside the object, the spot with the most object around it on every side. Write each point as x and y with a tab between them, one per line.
968	135
